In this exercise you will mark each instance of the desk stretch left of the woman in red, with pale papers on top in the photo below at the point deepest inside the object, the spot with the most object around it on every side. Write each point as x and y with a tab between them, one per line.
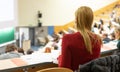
36	60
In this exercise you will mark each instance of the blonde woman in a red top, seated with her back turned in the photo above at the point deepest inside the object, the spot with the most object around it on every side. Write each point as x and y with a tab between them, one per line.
82	46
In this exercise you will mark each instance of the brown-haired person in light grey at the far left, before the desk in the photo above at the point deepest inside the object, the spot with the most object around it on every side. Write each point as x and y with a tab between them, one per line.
10	52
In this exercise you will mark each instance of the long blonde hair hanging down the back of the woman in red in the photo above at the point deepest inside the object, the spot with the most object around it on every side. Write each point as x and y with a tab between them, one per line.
84	19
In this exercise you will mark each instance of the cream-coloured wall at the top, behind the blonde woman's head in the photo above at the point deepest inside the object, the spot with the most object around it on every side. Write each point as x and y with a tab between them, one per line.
54	12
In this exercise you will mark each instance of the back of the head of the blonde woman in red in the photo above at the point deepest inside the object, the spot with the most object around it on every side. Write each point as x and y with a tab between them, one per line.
84	18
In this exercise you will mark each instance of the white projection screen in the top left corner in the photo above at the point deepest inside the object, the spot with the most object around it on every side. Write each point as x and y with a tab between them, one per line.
8	13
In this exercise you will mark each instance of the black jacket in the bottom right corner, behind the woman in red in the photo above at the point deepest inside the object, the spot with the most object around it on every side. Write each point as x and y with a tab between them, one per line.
104	64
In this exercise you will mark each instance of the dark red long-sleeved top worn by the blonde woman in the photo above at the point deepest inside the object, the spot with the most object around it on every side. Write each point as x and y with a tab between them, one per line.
74	51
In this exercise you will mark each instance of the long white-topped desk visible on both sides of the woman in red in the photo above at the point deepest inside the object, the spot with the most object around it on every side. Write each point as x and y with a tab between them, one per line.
39	59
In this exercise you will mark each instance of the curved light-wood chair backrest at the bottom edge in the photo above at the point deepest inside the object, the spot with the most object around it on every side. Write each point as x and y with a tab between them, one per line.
56	69
